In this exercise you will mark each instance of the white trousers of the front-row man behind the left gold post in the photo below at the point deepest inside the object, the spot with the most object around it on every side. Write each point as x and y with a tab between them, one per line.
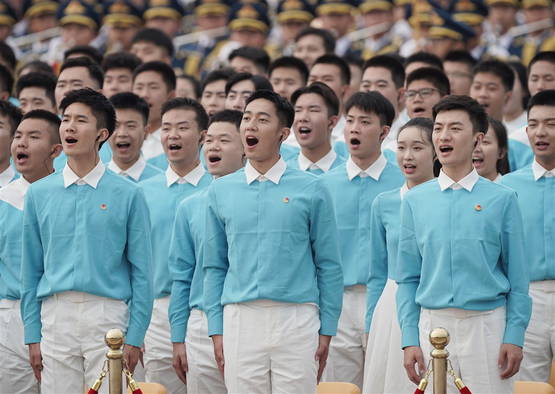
72	345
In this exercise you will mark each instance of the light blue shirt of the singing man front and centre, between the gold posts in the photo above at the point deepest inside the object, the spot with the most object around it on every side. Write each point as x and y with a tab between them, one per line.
271	236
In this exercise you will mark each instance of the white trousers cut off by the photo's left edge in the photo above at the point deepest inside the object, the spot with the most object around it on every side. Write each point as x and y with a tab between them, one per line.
16	374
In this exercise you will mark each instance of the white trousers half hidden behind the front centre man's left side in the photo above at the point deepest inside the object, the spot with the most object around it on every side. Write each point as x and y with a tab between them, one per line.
203	377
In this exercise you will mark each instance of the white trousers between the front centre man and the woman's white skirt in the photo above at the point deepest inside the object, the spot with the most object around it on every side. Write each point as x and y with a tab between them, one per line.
348	347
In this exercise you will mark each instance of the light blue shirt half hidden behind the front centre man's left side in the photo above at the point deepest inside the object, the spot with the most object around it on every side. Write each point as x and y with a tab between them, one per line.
185	261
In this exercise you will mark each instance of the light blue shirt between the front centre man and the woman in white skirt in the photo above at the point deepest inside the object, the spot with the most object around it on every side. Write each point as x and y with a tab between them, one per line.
353	191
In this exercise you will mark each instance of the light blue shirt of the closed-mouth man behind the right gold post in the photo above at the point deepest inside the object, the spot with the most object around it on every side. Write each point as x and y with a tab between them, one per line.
461	246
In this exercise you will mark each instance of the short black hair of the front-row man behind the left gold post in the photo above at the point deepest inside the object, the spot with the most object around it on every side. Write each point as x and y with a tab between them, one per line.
100	106
